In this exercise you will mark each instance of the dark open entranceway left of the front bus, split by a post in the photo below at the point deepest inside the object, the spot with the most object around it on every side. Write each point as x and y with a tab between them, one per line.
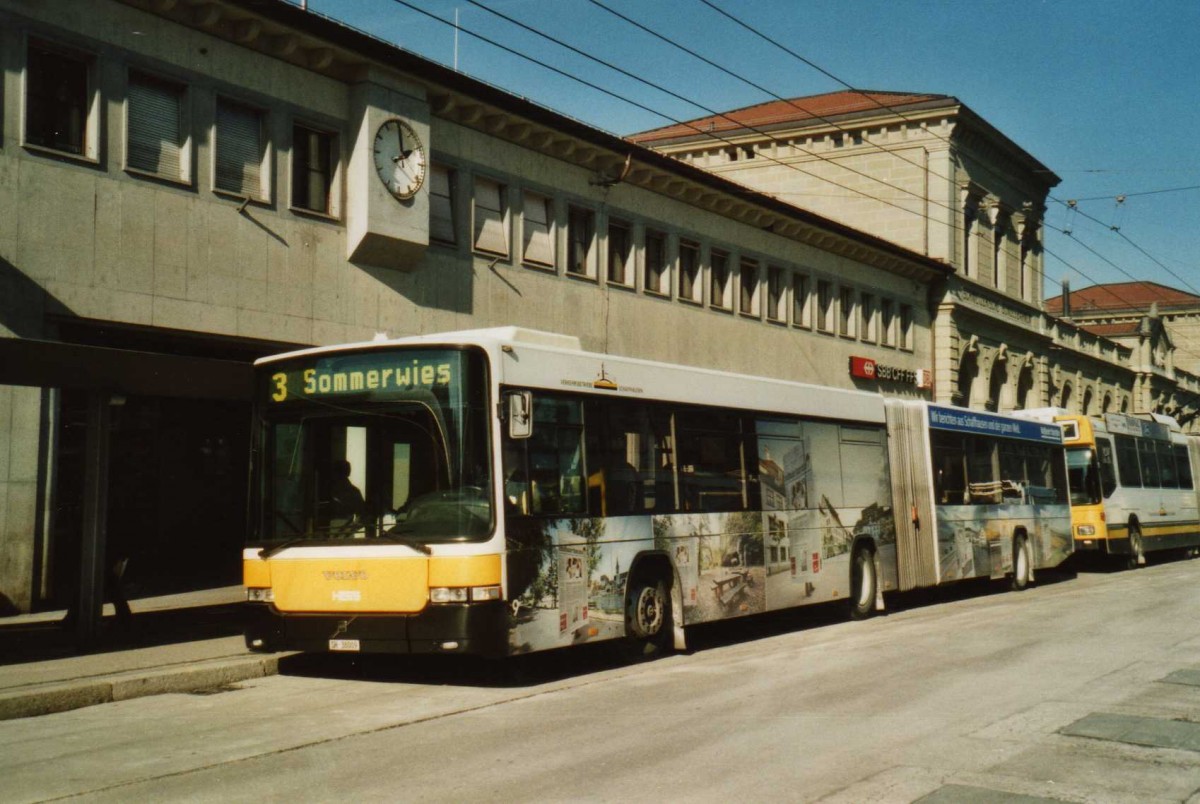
177	494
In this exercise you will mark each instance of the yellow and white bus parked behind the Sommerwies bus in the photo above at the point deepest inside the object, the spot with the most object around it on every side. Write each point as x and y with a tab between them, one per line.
1132	488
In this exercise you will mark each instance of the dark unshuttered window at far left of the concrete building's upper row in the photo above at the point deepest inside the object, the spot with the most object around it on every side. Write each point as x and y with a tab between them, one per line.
58	101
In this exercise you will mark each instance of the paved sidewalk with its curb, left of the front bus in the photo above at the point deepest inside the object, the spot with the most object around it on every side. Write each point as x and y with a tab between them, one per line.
176	644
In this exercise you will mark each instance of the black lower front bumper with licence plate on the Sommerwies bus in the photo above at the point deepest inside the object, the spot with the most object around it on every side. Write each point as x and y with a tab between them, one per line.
479	629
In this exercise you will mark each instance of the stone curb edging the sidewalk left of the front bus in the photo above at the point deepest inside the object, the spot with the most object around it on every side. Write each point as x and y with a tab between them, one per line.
50	699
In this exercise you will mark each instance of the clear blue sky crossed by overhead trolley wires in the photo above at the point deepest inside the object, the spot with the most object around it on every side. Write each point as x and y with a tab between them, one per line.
1103	93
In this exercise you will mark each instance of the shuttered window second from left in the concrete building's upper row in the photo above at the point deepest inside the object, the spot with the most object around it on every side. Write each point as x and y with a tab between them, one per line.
154	129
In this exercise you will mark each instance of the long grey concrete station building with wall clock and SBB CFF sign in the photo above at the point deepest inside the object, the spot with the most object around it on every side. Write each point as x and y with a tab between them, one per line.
188	185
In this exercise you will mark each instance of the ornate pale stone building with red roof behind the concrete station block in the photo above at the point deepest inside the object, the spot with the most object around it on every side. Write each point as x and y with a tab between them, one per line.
928	173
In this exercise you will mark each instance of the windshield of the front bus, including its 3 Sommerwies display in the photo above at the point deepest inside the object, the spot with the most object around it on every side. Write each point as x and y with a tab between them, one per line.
381	445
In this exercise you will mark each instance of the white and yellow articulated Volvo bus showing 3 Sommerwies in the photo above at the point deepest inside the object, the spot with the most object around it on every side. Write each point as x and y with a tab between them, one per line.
501	491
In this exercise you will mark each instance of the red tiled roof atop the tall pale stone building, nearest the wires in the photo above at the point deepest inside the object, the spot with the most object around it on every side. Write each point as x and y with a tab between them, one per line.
817	107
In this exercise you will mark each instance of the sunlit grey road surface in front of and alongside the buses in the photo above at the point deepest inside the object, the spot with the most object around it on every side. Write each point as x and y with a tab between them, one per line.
1082	689
